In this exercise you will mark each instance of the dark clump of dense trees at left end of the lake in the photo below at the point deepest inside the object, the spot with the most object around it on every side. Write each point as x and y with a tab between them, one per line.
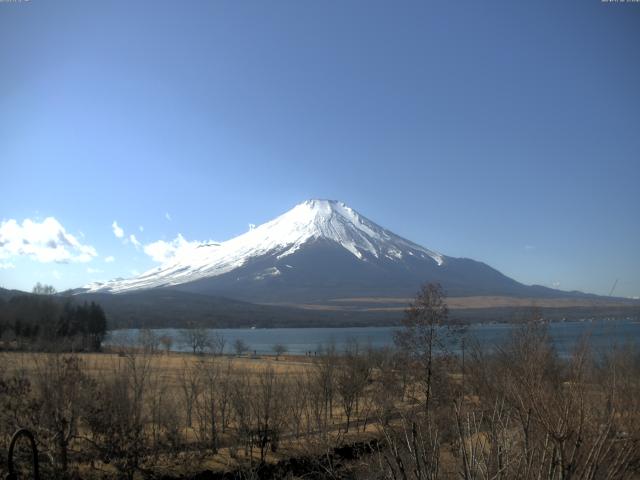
44	321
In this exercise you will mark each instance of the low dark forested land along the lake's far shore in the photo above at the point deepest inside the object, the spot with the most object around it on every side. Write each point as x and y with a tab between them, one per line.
174	308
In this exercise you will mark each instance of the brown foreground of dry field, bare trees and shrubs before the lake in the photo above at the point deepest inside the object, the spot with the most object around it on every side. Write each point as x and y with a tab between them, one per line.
518	411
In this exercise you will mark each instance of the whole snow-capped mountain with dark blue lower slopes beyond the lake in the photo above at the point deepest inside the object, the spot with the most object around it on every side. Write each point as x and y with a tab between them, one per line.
320	251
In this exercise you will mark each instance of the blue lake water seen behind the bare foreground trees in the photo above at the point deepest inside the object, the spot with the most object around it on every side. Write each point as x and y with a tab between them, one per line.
603	335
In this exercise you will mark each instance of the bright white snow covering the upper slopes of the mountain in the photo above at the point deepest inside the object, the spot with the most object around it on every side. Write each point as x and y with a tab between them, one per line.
312	220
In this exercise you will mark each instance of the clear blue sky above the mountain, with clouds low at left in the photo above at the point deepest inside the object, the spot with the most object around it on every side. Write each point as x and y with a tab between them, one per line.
507	132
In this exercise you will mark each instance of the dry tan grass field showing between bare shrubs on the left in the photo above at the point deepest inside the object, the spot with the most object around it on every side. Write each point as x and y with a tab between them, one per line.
168	369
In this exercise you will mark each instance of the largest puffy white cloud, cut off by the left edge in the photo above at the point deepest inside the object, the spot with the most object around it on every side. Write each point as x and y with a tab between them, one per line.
45	241
